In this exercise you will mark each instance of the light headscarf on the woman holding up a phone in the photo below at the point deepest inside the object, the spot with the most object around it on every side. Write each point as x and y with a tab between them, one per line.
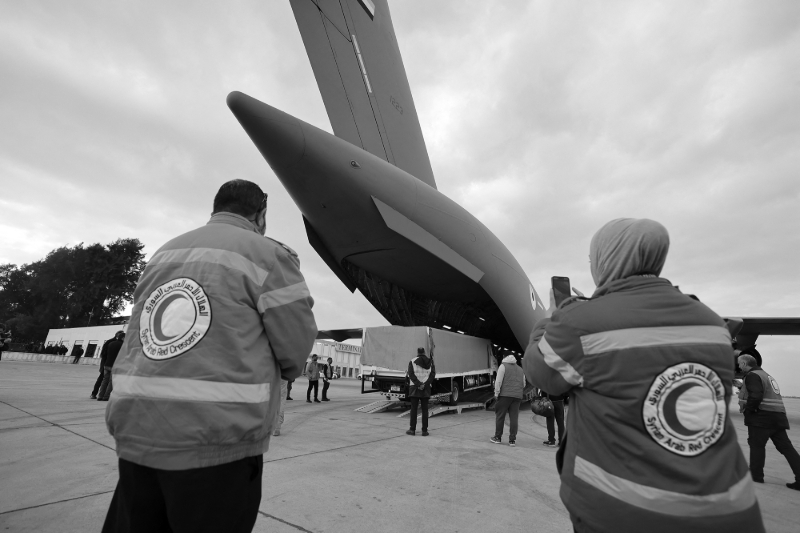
626	247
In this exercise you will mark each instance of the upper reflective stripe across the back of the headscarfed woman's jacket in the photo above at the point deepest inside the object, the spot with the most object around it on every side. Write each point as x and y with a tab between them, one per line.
621	339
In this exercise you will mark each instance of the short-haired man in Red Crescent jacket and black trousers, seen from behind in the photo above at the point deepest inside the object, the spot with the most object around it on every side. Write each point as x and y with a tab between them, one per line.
220	315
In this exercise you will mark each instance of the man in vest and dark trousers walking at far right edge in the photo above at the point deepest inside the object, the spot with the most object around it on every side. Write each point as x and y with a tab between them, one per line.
765	417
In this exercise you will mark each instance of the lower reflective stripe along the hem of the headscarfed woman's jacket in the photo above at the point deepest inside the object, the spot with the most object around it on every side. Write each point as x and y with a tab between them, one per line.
739	497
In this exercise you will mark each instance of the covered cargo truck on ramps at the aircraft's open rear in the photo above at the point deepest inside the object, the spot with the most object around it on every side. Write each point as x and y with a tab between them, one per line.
463	363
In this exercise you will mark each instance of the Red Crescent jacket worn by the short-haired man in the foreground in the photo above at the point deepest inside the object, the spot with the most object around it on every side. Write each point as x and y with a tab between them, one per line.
220	314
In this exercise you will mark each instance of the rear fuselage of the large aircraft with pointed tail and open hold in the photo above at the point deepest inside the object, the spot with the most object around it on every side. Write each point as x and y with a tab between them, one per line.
418	257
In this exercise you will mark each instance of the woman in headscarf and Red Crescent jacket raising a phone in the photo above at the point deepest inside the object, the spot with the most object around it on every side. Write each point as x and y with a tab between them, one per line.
649	445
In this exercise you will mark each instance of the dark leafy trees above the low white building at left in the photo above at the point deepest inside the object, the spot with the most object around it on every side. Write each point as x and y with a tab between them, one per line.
70	287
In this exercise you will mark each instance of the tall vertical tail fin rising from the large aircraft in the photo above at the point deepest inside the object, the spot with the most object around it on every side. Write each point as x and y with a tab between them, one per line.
360	73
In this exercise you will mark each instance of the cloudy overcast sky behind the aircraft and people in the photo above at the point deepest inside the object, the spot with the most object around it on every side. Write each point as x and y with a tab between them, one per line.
544	119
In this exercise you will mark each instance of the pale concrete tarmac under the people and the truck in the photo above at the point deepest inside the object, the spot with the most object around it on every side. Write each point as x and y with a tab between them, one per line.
332	469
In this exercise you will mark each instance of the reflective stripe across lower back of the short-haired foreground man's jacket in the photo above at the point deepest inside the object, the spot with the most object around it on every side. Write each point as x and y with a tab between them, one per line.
190	389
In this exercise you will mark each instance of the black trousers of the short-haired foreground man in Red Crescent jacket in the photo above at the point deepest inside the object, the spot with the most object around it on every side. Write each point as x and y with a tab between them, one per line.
216	498
